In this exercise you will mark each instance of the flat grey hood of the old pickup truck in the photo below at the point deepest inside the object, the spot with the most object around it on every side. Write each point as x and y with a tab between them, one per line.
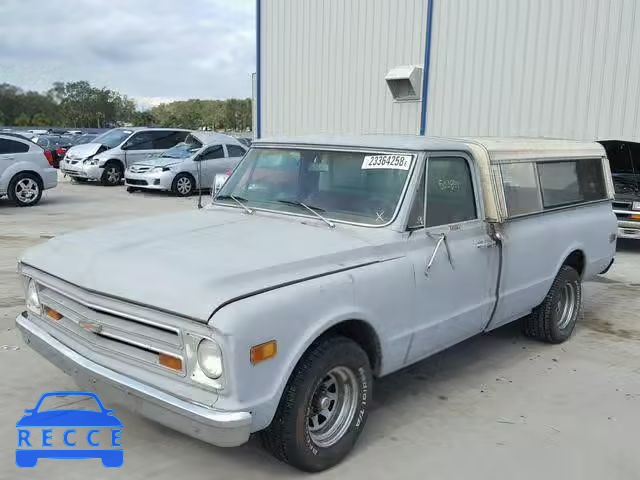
192	263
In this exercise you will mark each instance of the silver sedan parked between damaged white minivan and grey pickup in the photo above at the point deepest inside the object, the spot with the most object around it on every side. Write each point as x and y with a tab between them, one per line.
187	167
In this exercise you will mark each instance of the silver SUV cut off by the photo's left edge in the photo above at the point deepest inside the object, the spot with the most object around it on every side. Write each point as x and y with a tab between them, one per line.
25	170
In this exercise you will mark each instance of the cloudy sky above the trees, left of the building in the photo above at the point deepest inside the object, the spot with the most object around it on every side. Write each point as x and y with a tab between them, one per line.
150	50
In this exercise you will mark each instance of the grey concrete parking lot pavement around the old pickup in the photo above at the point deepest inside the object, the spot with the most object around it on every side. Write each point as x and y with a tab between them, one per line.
497	406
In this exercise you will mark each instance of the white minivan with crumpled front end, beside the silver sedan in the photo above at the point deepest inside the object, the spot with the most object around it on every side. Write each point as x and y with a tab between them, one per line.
107	157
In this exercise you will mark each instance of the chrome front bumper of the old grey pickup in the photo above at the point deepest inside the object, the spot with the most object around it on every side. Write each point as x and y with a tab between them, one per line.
224	429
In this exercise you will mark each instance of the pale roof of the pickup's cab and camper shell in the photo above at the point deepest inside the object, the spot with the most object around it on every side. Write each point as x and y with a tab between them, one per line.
499	149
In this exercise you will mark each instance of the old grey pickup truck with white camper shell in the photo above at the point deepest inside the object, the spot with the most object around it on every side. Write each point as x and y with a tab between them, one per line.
322	263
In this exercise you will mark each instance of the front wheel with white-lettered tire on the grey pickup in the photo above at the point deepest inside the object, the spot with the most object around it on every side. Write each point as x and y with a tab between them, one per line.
324	406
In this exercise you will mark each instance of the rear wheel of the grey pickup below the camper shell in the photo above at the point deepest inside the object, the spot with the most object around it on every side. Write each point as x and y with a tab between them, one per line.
554	319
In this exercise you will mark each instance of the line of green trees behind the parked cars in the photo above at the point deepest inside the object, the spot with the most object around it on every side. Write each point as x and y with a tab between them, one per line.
79	104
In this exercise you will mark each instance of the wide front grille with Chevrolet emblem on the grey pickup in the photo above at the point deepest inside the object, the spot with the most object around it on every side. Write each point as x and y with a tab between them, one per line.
113	333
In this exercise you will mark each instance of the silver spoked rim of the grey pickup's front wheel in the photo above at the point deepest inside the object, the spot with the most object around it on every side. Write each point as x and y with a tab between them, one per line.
333	407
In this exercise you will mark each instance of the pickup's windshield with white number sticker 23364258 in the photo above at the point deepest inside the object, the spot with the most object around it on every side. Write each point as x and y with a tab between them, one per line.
346	186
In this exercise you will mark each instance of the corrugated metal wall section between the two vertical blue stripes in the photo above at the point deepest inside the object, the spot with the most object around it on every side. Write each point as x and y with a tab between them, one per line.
323	64
